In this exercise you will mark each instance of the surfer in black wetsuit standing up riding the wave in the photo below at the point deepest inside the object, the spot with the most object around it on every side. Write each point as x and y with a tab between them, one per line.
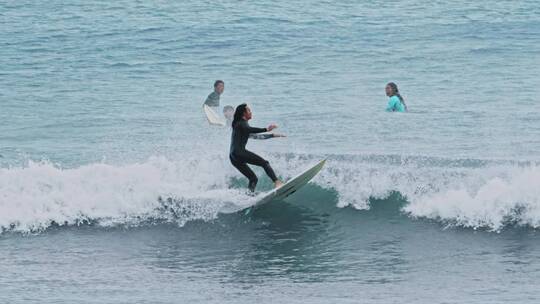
239	156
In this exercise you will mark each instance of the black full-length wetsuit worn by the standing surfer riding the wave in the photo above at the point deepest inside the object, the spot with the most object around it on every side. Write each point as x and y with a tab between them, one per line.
240	157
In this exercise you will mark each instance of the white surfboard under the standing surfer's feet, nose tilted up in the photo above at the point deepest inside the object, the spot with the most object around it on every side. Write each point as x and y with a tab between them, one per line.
291	186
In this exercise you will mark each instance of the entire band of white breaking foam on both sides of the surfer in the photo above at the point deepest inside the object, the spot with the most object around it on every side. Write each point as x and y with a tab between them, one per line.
40	194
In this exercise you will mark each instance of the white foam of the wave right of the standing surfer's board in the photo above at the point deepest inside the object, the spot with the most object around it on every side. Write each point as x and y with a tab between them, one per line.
487	196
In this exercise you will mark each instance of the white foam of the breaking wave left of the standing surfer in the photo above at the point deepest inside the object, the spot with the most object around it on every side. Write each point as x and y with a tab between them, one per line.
34	196
